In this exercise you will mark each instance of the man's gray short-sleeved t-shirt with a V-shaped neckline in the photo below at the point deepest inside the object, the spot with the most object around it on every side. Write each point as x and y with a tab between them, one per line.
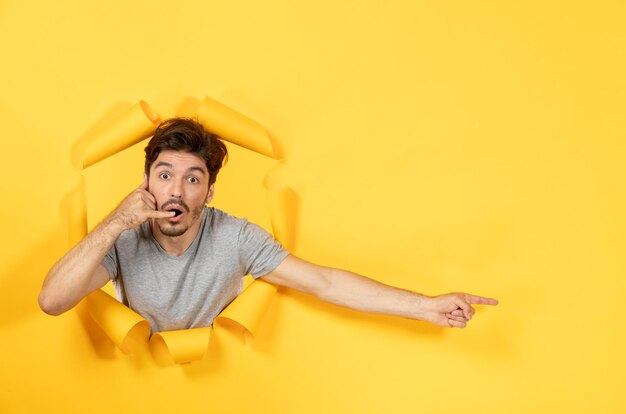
189	291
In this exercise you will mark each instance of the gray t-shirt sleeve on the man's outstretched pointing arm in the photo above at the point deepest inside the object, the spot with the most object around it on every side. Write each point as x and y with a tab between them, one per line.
259	252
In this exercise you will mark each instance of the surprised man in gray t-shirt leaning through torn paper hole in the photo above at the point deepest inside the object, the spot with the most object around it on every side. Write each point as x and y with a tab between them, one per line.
178	263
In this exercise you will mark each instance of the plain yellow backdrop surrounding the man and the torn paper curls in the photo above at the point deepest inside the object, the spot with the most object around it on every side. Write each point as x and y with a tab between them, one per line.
437	146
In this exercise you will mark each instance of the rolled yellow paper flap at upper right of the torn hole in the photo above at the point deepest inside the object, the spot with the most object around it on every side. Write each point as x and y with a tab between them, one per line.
235	127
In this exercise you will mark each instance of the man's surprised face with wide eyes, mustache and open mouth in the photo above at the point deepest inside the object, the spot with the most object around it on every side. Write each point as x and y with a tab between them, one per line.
179	181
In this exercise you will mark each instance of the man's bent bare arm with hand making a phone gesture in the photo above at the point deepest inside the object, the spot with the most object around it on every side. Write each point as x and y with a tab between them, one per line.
80	271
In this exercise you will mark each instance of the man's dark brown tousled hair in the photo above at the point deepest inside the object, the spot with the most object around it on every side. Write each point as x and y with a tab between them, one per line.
187	135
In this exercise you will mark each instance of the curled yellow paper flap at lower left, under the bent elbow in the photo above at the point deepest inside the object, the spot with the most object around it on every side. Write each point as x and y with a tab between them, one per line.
120	323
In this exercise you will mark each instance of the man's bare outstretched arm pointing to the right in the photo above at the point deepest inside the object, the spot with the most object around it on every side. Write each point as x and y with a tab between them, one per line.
357	292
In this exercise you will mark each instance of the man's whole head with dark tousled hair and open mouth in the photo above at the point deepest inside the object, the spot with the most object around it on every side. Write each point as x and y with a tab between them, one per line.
182	162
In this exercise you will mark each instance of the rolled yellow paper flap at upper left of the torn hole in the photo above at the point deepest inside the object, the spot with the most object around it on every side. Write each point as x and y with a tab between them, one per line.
133	126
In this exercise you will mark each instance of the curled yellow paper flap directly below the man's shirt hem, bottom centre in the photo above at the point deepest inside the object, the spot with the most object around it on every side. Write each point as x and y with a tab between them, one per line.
181	346
